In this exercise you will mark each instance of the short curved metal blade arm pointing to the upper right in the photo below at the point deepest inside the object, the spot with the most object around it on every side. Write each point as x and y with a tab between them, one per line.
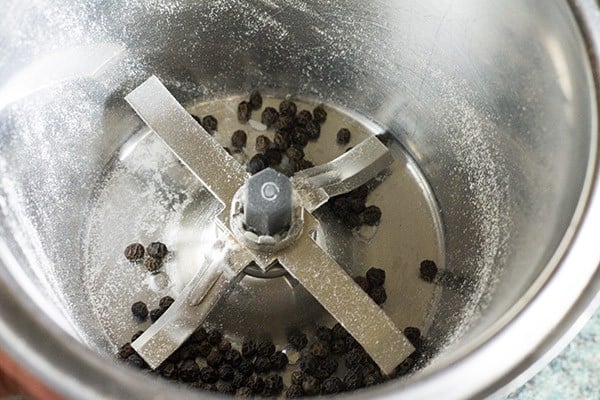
347	172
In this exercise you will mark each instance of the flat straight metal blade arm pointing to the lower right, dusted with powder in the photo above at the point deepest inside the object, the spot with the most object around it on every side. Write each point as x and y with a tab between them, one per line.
346	301
